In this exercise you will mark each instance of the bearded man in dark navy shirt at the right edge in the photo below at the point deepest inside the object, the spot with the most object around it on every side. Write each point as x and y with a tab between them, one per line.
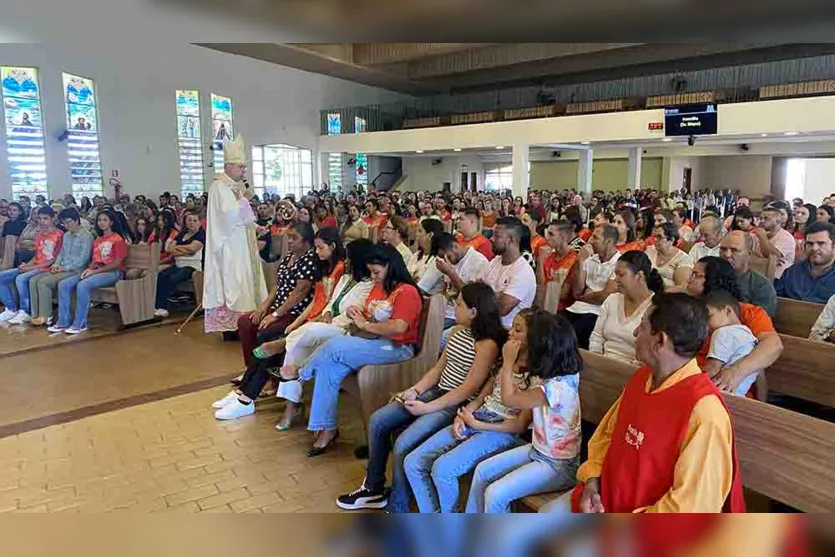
812	280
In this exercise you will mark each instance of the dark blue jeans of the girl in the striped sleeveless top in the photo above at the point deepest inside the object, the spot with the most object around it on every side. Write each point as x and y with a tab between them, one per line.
387	421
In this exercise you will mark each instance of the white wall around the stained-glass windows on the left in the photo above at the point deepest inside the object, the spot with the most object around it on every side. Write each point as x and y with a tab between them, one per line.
135	87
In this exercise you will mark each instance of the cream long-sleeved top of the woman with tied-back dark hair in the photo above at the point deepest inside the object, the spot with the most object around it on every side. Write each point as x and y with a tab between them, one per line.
613	334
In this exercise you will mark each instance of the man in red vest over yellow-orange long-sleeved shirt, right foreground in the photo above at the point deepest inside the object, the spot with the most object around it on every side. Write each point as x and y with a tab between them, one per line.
667	444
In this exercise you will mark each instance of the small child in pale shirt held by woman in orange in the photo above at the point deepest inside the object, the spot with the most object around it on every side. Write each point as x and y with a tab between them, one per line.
730	340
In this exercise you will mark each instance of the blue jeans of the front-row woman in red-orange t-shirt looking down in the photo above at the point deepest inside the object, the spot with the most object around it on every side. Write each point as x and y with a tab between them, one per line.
334	361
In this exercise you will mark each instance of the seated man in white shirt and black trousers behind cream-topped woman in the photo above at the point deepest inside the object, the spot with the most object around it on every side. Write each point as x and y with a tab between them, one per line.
593	281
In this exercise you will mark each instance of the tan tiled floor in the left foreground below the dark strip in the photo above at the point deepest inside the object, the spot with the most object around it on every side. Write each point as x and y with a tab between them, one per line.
173	456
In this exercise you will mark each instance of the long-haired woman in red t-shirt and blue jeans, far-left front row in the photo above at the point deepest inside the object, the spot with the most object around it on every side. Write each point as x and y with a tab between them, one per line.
106	269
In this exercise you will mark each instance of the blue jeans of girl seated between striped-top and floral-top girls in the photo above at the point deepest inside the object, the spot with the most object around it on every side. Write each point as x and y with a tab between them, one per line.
433	468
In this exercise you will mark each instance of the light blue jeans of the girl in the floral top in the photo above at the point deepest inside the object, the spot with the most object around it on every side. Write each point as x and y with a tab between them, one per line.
517	473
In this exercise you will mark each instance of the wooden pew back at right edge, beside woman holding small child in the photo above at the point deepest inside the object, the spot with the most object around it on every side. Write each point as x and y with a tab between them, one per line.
805	370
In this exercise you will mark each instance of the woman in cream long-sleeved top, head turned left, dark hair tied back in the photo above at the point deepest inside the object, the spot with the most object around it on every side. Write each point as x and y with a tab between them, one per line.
621	312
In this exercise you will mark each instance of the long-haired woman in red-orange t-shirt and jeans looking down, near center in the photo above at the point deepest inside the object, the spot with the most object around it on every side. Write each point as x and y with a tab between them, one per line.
385	331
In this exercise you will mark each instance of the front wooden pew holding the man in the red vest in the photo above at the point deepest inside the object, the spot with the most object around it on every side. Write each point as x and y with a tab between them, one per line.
783	455
